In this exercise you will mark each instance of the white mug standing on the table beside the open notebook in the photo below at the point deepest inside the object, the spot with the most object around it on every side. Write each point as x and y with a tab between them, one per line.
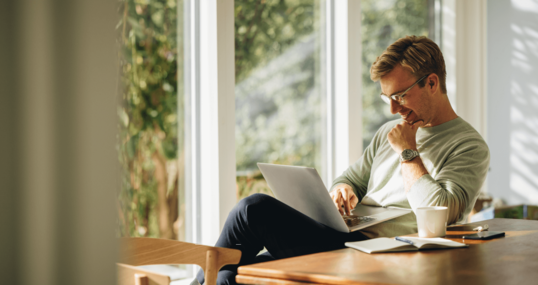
431	221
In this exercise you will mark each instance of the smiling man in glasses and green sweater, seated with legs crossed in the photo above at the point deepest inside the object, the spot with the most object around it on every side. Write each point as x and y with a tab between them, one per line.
429	157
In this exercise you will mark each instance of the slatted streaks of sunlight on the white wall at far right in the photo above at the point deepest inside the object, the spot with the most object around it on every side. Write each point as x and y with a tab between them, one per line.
524	102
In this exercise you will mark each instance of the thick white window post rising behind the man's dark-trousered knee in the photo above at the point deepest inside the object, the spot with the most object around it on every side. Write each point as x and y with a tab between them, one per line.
210	117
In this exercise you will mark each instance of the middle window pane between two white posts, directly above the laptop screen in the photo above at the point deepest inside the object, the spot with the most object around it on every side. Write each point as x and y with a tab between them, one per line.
278	98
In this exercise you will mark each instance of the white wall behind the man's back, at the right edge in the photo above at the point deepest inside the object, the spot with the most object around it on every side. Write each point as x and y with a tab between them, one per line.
512	108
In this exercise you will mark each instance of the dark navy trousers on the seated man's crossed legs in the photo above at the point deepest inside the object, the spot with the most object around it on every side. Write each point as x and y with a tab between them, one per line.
260	221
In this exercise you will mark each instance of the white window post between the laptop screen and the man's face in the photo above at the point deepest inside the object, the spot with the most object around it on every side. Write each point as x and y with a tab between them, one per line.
343	51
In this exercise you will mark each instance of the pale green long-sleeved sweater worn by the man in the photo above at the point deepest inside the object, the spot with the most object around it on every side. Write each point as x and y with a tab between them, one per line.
457	160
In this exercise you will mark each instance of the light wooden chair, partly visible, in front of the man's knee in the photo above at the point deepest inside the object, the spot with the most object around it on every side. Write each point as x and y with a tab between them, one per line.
146	251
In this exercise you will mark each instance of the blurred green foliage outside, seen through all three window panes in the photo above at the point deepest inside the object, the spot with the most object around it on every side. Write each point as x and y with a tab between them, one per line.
278	98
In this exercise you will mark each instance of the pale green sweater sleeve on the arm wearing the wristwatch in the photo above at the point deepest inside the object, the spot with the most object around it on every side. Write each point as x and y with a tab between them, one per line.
457	184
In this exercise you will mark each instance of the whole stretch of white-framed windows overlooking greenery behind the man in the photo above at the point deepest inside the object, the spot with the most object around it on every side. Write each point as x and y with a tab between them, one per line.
284	63
